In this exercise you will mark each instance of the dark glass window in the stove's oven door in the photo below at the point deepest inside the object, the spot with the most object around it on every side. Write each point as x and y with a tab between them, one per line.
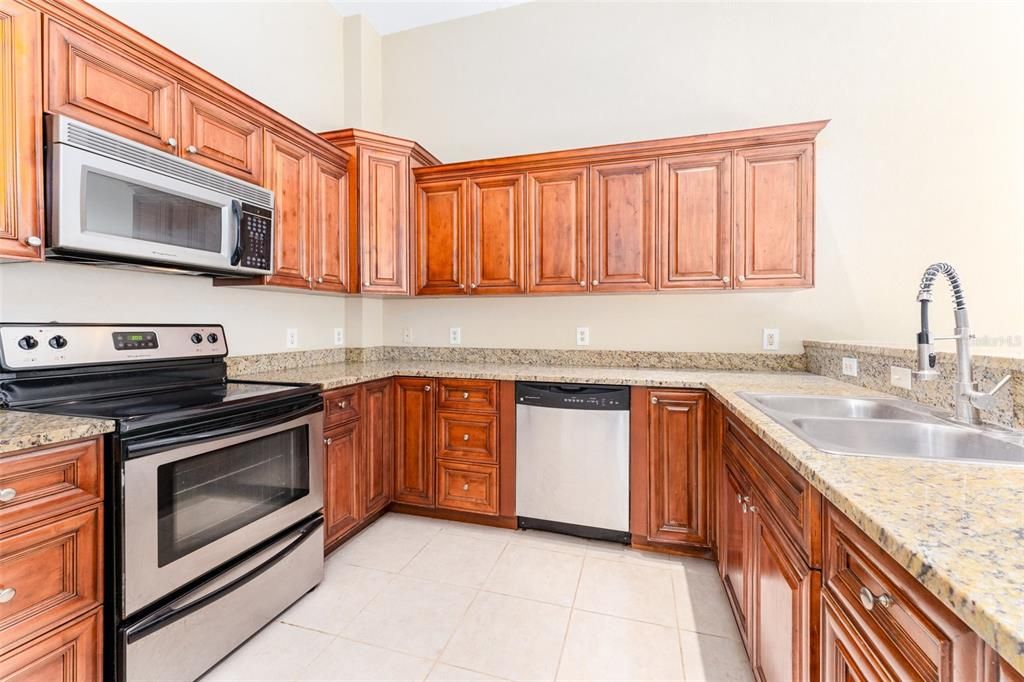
207	497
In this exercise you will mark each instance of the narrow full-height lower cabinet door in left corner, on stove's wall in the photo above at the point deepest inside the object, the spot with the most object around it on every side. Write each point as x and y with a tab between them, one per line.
379	434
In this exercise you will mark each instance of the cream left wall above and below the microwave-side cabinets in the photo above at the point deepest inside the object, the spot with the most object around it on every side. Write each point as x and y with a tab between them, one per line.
287	55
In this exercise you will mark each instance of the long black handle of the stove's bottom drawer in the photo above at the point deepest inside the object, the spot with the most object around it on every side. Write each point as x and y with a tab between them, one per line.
225	584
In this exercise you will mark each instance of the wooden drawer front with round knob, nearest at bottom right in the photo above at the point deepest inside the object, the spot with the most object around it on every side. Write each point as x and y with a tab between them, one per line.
904	625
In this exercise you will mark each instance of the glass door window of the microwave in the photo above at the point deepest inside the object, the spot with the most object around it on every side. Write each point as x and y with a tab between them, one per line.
121	208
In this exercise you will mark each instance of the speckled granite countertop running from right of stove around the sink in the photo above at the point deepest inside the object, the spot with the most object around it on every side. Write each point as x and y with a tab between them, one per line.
958	528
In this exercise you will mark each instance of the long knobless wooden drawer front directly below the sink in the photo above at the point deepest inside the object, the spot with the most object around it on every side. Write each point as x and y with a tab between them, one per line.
794	502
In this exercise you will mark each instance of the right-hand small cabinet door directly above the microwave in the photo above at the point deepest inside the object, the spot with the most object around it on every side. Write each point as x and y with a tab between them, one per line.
226	141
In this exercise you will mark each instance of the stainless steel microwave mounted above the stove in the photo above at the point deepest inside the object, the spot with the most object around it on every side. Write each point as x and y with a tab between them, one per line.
111	200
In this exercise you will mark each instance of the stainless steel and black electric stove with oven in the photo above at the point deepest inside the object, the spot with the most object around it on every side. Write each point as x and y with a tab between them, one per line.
215	488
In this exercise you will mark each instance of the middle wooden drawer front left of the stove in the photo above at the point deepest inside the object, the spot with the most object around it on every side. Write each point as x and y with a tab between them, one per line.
53	570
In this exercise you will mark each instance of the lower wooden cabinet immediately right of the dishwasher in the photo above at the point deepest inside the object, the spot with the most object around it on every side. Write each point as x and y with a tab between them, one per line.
669	470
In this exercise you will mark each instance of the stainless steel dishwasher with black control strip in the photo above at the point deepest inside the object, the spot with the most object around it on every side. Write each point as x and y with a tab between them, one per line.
573	459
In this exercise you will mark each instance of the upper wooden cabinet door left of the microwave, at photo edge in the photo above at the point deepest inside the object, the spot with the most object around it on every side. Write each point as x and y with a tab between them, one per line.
21	134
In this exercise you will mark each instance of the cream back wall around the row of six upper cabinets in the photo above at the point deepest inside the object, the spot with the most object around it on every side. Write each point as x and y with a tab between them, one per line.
920	163
